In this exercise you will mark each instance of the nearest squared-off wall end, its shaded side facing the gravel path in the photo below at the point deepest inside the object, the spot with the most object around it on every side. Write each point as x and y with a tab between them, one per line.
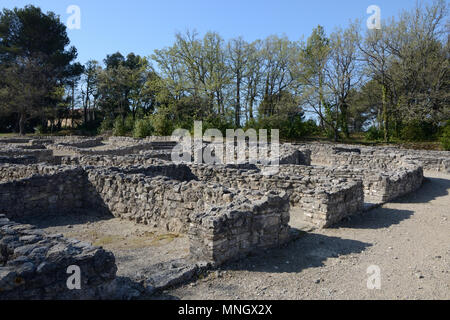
232	231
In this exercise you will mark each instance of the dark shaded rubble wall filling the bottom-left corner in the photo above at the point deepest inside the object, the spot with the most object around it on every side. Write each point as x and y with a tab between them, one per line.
34	266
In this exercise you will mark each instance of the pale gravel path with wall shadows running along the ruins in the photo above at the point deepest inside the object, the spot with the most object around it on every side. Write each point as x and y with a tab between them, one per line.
409	240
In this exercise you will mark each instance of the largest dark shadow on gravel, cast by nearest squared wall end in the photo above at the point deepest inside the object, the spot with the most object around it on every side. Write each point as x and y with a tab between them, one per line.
309	251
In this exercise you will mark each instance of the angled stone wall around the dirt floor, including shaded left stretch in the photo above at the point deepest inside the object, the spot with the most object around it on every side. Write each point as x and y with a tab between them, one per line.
166	197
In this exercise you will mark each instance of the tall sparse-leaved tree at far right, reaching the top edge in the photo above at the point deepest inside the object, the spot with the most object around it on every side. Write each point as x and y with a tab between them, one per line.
420	48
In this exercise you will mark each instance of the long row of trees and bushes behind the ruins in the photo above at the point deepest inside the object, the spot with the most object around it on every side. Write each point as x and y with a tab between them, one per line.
347	80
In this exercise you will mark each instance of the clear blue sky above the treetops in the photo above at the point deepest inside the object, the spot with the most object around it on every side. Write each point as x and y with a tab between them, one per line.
141	26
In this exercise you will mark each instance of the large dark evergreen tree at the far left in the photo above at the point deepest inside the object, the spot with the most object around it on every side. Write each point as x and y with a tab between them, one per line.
33	45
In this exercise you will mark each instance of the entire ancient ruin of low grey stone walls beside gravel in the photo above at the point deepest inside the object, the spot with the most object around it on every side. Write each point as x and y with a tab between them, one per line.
224	212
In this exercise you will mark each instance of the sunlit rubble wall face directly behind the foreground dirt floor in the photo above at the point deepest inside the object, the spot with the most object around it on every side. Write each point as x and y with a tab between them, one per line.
161	202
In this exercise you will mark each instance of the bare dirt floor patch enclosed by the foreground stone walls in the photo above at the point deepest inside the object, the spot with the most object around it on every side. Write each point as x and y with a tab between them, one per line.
135	246
